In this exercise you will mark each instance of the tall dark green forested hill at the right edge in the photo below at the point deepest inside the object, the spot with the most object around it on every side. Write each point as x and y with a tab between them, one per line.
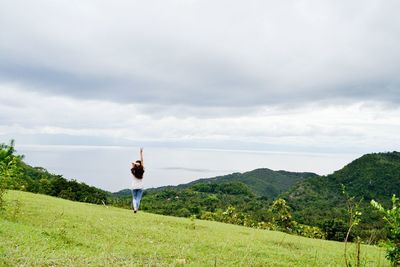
373	176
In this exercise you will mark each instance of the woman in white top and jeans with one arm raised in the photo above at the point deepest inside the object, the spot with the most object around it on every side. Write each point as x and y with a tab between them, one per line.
137	183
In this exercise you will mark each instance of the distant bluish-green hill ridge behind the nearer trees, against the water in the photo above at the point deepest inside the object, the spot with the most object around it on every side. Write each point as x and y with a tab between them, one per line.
263	182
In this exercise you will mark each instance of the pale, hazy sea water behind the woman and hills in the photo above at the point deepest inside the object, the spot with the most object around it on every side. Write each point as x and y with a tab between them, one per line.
108	167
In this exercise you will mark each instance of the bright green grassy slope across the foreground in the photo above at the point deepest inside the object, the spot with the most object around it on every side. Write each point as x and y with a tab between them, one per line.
38	230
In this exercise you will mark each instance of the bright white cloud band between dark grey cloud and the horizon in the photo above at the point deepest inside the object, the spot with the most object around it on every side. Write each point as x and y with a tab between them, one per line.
311	127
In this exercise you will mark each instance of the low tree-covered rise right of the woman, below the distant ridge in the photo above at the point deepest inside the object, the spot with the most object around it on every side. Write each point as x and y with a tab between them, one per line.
202	200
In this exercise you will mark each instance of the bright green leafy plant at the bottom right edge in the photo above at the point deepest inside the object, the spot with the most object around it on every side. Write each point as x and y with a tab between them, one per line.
392	218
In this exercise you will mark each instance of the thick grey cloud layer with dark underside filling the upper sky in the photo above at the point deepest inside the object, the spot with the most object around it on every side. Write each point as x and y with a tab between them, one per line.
204	53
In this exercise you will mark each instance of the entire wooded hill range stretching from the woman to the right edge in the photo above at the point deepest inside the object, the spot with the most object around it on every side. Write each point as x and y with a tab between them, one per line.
314	200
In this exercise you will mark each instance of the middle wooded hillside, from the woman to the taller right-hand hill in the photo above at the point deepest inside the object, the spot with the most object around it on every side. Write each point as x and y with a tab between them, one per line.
250	194
